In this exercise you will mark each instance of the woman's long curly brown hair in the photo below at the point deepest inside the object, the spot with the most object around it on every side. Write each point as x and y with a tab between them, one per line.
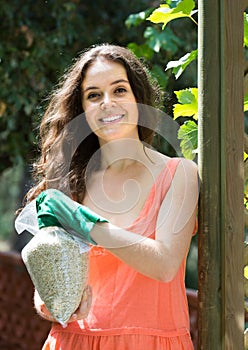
66	142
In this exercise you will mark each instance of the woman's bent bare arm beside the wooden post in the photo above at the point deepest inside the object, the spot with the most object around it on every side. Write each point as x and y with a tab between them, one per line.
160	258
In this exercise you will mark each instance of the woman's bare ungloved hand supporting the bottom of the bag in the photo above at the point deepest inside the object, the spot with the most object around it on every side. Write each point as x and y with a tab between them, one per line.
79	314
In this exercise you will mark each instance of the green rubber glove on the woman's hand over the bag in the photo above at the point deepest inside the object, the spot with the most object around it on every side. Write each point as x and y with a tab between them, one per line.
54	208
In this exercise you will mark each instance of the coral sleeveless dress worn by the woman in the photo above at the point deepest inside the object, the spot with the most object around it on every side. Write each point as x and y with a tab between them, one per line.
129	310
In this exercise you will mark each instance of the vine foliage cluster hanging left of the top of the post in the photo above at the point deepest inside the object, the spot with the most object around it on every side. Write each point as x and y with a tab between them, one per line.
158	46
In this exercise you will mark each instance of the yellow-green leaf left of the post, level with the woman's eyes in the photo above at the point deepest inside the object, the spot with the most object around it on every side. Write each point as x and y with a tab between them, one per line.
188	103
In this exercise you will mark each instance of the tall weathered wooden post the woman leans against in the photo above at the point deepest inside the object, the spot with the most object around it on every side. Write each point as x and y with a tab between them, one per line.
221	120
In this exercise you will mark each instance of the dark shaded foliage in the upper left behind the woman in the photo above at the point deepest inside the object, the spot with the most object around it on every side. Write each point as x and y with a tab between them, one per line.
38	41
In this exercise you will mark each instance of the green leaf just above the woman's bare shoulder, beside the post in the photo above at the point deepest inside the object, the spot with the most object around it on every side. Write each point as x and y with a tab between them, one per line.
188	133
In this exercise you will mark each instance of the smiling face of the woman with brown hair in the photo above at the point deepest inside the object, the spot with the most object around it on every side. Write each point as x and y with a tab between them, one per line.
108	101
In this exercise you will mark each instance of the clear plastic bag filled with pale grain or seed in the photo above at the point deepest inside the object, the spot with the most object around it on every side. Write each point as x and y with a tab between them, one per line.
57	263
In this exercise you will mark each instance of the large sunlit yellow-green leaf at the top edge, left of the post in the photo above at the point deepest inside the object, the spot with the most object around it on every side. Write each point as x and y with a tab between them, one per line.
164	14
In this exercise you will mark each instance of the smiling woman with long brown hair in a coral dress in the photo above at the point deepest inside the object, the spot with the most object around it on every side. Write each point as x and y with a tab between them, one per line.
137	266
